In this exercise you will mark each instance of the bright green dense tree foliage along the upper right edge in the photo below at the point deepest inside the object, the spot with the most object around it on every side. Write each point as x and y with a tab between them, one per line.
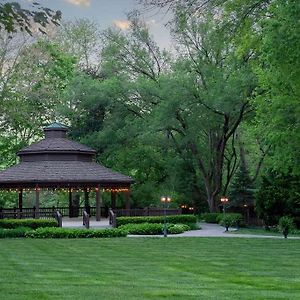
277	104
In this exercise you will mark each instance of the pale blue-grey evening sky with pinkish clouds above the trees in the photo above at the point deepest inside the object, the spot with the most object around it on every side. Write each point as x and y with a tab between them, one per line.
108	13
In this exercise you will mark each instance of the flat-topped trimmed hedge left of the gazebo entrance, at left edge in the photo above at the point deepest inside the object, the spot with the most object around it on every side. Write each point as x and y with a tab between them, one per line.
31	223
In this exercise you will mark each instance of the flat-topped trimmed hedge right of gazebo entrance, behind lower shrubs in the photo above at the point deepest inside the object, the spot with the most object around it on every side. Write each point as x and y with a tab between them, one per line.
174	219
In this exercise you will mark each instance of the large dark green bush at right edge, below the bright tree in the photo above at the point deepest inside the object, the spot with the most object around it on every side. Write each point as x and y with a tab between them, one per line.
277	196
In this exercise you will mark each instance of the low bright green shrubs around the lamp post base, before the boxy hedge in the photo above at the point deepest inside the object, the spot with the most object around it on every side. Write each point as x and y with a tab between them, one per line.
153	228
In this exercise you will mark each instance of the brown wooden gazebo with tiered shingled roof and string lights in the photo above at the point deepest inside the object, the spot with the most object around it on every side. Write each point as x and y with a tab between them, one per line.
58	163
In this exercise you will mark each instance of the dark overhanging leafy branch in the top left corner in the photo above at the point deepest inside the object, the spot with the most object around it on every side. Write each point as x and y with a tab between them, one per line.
14	18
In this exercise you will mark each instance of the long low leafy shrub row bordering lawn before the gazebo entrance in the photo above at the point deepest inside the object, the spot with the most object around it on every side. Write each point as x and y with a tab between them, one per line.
69	233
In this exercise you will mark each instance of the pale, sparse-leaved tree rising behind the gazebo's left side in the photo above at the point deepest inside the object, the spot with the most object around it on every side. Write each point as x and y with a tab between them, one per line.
30	94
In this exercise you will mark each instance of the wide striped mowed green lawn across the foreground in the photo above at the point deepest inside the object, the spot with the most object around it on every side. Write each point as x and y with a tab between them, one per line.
150	268
